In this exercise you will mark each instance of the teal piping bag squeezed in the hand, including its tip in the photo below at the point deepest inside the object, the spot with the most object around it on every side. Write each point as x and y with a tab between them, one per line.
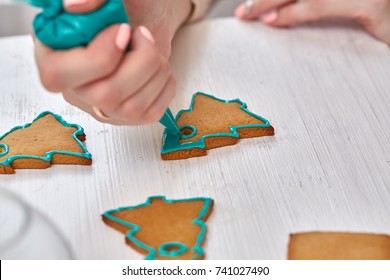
61	30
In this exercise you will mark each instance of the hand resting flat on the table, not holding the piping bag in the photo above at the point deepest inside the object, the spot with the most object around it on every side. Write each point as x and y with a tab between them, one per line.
374	15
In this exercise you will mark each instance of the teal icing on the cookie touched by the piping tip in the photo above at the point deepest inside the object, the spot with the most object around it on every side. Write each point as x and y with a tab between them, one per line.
171	141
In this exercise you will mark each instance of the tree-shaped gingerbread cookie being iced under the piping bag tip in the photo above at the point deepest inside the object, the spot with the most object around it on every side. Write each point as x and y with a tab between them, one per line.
211	122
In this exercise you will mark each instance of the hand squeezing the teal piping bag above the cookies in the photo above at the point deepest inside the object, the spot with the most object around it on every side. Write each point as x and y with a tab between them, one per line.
101	78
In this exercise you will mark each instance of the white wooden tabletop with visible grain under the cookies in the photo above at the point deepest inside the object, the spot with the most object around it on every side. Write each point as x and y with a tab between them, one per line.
326	90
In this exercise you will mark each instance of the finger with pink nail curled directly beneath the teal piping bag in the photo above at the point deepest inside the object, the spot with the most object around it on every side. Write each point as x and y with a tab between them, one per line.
65	69
